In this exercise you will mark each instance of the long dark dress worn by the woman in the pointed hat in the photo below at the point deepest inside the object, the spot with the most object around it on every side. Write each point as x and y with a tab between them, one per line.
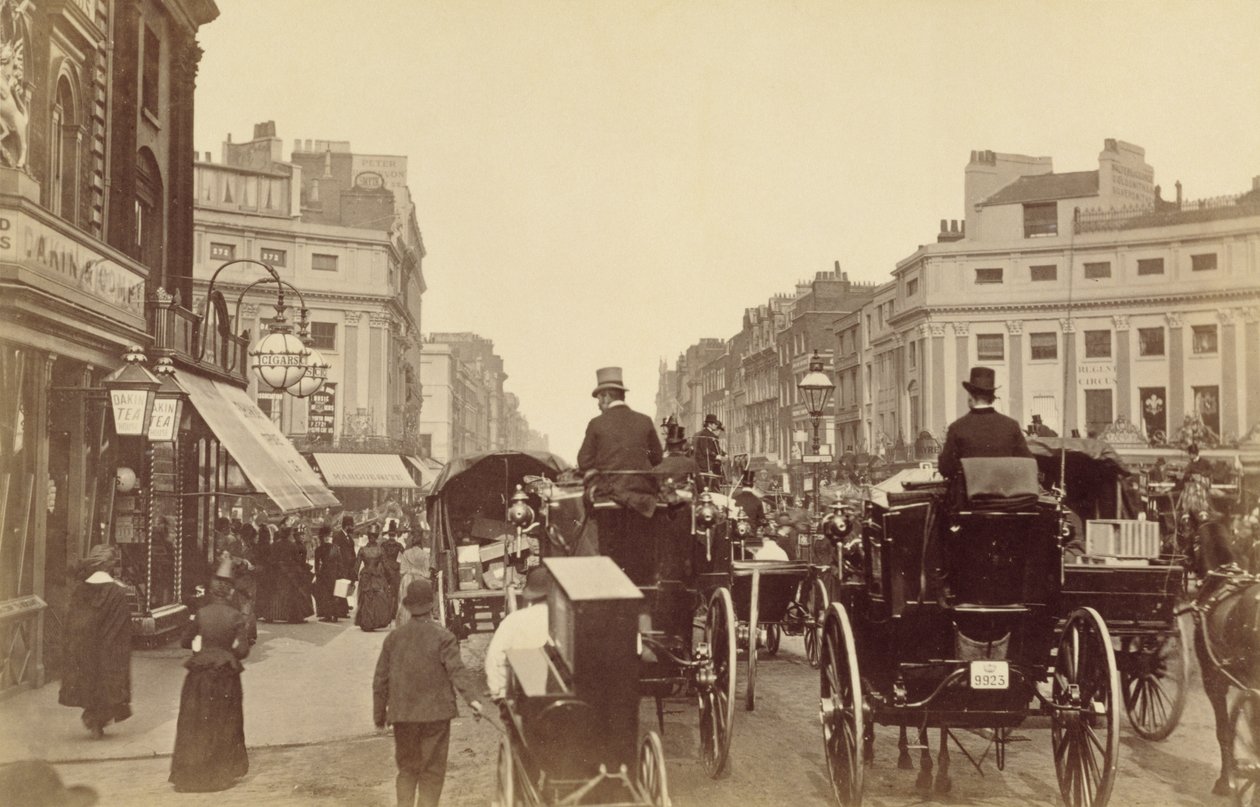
210	734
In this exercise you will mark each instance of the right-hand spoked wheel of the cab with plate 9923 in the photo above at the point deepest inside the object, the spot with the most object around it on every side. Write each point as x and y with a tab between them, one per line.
1085	724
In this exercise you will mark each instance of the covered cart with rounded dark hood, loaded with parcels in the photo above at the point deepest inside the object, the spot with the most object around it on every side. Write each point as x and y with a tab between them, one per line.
473	538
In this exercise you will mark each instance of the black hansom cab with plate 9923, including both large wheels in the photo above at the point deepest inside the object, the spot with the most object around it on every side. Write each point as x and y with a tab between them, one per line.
977	646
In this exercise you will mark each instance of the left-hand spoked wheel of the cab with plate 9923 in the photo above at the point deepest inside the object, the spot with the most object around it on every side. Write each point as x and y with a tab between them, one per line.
841	698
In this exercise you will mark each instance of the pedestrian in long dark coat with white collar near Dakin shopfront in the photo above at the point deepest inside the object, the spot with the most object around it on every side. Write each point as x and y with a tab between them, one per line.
98	675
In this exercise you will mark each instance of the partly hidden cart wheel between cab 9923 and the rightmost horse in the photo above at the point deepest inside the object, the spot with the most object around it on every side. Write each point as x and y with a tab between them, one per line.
1155	680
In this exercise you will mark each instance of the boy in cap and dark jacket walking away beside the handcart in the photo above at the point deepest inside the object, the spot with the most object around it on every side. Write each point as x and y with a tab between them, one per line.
414	689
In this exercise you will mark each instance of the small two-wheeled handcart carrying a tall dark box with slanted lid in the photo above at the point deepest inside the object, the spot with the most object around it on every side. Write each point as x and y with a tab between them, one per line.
571	716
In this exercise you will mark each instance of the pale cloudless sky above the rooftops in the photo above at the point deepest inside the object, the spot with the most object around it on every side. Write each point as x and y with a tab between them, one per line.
605	183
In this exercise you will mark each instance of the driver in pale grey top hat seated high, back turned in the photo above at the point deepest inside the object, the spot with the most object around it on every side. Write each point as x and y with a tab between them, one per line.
619	441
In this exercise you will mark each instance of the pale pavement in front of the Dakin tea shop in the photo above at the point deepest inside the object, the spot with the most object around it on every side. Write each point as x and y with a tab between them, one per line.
303	684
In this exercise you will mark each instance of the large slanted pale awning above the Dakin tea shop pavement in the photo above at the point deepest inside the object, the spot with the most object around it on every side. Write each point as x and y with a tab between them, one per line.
258	446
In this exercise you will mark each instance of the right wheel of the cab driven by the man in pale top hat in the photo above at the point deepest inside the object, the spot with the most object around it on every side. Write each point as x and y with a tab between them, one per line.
718	698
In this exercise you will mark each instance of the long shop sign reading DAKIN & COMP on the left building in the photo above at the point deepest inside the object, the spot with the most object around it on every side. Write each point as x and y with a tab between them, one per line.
37	248
